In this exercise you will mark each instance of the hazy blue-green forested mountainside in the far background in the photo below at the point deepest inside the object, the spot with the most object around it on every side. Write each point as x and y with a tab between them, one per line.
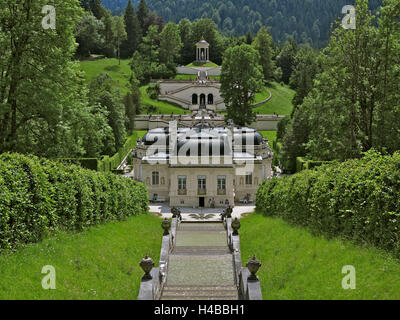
306	20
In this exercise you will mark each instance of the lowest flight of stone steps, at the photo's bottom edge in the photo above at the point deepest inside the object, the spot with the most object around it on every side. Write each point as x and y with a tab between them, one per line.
200	292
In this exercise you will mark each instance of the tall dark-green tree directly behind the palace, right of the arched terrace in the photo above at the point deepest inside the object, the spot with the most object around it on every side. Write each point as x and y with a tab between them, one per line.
241	78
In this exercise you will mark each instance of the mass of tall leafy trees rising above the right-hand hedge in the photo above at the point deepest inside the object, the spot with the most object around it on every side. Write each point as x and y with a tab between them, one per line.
354	104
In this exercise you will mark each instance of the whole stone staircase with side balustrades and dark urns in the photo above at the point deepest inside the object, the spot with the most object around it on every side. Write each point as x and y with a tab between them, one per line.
200	261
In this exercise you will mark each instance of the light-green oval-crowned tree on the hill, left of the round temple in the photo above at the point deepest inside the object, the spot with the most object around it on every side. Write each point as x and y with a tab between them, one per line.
170	44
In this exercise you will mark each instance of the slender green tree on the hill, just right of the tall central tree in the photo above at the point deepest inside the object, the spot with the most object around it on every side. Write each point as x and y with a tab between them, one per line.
263	44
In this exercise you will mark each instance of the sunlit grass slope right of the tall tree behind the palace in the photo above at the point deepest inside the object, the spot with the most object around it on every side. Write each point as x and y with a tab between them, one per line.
280	103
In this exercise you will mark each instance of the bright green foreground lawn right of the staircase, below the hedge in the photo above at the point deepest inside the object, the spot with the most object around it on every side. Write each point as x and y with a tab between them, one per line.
298	265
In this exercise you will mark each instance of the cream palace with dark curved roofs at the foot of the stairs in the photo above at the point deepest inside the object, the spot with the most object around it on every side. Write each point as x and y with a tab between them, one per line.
202	166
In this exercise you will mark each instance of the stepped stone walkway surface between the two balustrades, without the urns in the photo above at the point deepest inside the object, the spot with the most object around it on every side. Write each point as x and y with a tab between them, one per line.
201	265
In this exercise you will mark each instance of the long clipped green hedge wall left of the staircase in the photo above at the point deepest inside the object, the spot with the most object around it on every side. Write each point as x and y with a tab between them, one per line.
38	196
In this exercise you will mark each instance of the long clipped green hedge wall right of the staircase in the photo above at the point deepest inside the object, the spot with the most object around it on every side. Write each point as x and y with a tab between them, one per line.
357	199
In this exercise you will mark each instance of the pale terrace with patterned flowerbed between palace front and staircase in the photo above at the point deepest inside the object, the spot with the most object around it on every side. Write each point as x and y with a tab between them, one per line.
200	214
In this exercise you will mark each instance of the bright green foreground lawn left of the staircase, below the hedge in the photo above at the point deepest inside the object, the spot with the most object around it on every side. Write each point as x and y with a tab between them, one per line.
99	263
